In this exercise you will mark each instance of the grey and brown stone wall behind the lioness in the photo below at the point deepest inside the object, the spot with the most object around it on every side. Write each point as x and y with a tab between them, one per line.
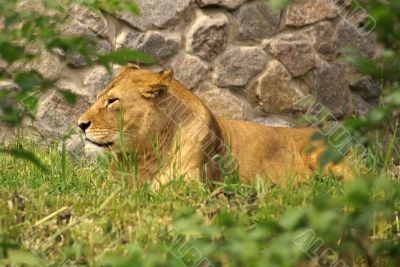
245	61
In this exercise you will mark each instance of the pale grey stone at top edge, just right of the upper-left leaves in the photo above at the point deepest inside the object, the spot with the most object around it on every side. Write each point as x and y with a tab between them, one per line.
157	14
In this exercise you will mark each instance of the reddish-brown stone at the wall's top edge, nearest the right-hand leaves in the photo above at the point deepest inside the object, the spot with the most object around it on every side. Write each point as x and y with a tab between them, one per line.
305	12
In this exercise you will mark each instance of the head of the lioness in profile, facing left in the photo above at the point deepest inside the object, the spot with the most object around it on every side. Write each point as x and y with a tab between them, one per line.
127	109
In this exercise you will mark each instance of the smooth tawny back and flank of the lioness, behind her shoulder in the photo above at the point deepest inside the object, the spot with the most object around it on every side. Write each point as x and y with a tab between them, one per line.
266	151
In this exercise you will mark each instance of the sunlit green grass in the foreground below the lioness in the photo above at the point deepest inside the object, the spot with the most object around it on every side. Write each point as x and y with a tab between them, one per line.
73	215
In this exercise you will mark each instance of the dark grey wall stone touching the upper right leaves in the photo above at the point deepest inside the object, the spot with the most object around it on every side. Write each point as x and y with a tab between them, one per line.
349	35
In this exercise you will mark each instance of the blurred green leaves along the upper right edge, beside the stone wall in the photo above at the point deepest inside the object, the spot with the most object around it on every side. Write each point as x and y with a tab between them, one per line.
385	67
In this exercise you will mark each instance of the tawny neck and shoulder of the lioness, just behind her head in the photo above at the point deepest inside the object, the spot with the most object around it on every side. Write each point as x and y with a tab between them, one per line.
183	112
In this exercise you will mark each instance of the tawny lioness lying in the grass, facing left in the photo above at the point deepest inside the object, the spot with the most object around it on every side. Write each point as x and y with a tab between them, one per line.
172	133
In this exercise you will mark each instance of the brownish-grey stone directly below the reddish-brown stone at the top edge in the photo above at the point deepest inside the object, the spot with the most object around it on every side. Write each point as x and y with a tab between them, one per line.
295	53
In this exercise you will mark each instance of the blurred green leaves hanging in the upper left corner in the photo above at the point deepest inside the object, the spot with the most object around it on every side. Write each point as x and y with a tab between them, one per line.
28	28
